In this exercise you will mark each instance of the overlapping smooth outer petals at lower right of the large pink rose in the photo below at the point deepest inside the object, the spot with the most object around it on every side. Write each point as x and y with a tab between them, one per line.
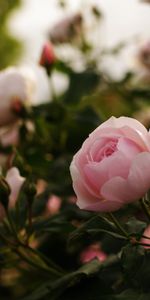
136	185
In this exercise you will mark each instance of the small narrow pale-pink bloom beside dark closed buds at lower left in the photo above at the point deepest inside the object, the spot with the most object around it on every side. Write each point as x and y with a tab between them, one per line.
15	182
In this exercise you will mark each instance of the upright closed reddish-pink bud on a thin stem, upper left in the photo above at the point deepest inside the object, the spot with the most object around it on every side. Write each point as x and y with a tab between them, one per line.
48	57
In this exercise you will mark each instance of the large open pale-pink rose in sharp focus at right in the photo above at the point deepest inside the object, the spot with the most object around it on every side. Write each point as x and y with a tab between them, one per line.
112	168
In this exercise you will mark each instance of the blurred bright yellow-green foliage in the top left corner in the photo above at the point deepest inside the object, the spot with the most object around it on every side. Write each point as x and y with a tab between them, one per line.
10	48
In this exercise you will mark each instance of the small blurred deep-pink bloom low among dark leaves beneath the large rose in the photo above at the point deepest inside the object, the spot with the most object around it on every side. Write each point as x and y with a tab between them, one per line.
91	252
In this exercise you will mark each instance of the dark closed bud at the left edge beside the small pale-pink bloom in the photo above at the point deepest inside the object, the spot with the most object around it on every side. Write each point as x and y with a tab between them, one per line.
4	192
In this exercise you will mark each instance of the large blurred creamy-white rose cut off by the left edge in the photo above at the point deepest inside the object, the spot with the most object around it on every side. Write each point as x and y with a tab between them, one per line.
17	87
